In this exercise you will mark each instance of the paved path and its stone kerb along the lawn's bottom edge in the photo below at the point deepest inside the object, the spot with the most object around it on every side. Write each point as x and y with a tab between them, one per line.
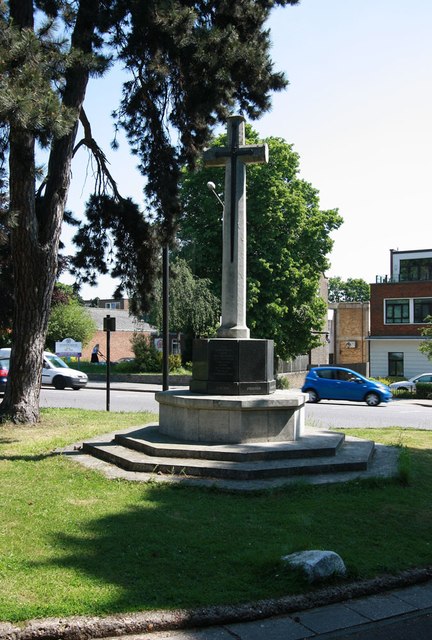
401	613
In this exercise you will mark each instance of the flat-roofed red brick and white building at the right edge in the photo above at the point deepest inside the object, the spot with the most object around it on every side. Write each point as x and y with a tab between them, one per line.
400	303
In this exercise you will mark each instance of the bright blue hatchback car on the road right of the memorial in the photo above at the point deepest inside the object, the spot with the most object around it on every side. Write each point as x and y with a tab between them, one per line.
338	383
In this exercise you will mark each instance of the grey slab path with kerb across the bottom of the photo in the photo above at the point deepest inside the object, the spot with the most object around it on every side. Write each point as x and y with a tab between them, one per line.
404	613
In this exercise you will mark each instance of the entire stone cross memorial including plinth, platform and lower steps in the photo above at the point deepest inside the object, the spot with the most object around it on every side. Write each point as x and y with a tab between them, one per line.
232	425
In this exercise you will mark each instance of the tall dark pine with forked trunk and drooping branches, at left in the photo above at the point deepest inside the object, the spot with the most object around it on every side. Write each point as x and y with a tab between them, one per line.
189	63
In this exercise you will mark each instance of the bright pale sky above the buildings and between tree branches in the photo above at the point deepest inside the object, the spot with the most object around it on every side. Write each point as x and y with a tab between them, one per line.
358	111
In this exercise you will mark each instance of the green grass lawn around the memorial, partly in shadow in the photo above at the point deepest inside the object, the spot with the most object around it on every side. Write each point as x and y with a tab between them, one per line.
73	542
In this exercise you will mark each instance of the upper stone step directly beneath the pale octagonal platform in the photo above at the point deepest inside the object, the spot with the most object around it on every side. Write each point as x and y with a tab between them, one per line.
150	441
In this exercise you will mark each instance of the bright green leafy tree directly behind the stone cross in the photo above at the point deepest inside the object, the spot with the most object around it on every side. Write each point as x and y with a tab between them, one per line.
288	241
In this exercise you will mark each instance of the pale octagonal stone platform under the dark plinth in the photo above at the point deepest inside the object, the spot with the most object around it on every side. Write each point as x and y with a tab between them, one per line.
231	419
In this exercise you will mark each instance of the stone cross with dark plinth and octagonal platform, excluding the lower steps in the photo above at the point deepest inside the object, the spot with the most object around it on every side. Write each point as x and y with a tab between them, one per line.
232	393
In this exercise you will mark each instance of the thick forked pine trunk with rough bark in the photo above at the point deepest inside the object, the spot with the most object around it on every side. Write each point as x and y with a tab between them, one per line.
36	230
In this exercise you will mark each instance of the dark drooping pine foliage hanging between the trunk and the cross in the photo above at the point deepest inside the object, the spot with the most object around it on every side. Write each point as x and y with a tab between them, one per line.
191	64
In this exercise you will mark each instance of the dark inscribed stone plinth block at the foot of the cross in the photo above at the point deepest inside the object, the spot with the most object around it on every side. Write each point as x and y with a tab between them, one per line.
233	367
